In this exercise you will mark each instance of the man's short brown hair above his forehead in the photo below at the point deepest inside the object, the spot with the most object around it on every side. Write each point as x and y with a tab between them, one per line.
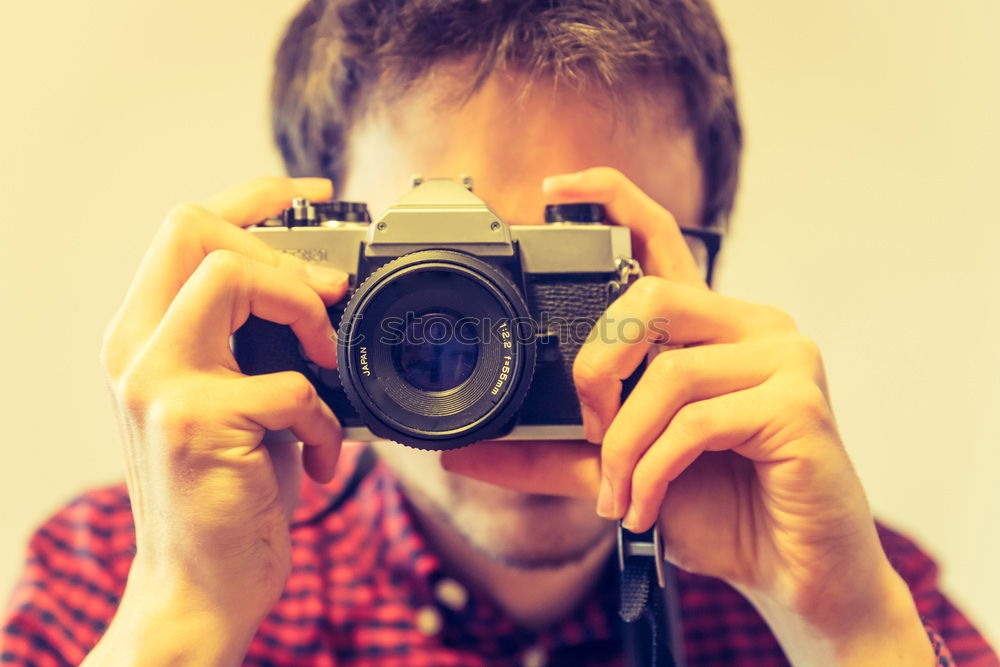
337	52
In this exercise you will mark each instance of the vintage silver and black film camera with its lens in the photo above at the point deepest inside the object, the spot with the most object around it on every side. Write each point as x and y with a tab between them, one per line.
456	327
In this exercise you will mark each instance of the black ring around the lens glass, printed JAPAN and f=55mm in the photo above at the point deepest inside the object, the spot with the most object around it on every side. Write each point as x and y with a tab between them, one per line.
477	409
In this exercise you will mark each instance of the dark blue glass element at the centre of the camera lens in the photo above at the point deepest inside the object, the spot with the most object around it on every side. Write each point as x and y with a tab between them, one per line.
438	351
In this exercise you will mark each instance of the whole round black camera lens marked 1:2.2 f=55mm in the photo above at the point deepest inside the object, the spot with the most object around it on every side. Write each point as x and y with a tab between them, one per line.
431	353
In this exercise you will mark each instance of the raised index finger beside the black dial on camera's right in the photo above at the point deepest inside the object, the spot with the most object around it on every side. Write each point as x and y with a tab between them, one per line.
659	245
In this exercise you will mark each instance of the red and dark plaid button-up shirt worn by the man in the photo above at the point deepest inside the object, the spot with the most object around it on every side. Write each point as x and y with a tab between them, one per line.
366	589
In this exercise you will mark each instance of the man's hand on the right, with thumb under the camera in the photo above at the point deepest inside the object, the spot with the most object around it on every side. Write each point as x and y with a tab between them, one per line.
728	441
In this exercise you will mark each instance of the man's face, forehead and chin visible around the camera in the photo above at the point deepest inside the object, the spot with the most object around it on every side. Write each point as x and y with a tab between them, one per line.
508	147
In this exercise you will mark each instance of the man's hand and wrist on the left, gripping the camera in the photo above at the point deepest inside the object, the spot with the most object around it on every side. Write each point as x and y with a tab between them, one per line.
211	504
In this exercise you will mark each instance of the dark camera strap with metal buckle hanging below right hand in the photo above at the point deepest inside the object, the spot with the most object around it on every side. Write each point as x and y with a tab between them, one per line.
649	607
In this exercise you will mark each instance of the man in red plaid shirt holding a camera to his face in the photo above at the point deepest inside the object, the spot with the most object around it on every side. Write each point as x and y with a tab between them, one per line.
496	553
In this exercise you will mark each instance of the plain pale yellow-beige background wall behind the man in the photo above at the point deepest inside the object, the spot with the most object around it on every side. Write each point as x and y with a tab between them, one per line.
868	211
